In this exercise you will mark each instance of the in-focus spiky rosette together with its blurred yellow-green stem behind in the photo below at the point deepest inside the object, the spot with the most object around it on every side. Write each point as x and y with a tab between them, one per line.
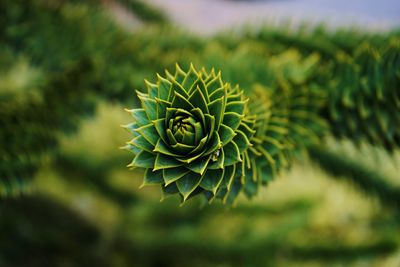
196	134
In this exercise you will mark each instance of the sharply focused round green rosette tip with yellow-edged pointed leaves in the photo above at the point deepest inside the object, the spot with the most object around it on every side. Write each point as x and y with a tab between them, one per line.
190	133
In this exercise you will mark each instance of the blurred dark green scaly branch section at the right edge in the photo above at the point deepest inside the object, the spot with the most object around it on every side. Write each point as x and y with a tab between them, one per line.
364	100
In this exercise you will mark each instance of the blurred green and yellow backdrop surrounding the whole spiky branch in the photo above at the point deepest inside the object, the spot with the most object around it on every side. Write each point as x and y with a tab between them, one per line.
68	69
